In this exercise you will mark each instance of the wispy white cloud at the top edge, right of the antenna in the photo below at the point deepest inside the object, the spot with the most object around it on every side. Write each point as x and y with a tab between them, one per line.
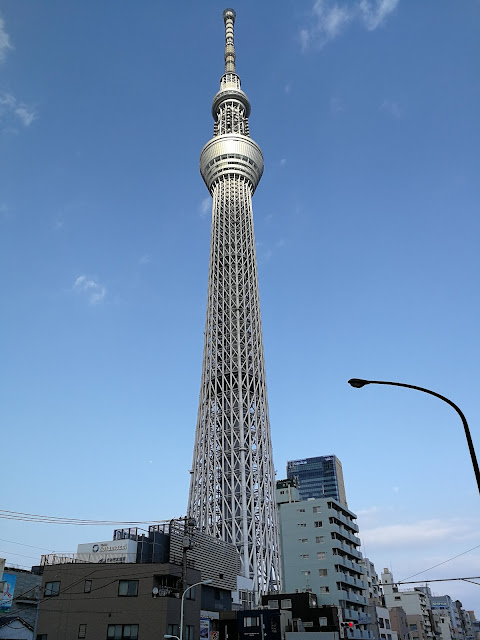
331	18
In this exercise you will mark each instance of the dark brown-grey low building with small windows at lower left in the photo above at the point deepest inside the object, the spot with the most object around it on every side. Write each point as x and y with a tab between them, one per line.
117	601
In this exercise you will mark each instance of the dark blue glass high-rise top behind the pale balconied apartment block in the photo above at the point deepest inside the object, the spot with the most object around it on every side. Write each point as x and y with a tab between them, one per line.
319	477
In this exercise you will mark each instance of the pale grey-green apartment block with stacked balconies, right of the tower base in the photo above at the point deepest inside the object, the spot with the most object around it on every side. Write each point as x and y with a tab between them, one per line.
319	550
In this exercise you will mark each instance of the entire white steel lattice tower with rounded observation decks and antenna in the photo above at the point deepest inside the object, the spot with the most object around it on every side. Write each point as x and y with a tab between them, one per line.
232	488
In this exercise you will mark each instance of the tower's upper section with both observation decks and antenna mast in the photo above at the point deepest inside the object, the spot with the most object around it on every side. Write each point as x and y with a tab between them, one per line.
231	150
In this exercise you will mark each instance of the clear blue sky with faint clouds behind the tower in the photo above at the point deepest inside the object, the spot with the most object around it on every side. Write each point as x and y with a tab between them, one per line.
367	232
